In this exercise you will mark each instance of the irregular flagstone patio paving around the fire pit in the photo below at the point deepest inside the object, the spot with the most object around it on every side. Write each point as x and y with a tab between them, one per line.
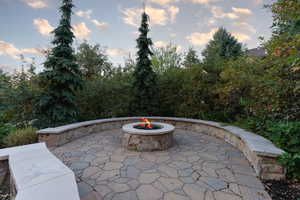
197	167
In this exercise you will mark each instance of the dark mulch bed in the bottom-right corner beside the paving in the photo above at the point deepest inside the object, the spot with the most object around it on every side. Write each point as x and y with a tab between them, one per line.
283	190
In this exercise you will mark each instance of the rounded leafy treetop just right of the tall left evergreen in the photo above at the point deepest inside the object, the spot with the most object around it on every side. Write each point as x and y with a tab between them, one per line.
93	61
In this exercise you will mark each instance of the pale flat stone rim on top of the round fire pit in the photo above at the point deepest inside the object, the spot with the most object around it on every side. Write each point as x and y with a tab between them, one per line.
166	128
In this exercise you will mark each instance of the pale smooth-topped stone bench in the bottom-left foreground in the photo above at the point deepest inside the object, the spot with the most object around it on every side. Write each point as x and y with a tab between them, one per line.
36	174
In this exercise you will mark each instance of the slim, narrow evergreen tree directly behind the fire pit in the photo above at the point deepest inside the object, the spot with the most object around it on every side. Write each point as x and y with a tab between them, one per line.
145	80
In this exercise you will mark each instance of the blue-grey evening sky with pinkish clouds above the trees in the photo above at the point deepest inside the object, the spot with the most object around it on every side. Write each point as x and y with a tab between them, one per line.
25	25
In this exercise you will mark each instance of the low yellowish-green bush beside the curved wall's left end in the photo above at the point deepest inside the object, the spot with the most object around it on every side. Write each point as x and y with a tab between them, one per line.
21	137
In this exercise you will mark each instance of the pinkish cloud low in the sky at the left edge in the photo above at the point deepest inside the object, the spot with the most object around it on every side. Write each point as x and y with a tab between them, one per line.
10	50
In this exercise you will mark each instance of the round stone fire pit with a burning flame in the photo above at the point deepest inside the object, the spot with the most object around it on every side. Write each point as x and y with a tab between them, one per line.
147	136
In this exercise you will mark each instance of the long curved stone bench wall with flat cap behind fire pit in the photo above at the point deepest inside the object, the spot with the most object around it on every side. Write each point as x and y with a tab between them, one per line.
260	152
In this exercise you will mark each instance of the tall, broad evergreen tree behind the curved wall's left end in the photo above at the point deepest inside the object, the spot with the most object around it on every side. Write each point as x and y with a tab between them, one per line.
61	77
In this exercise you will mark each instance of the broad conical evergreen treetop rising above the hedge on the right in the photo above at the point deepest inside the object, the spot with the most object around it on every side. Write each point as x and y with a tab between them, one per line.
222	47
